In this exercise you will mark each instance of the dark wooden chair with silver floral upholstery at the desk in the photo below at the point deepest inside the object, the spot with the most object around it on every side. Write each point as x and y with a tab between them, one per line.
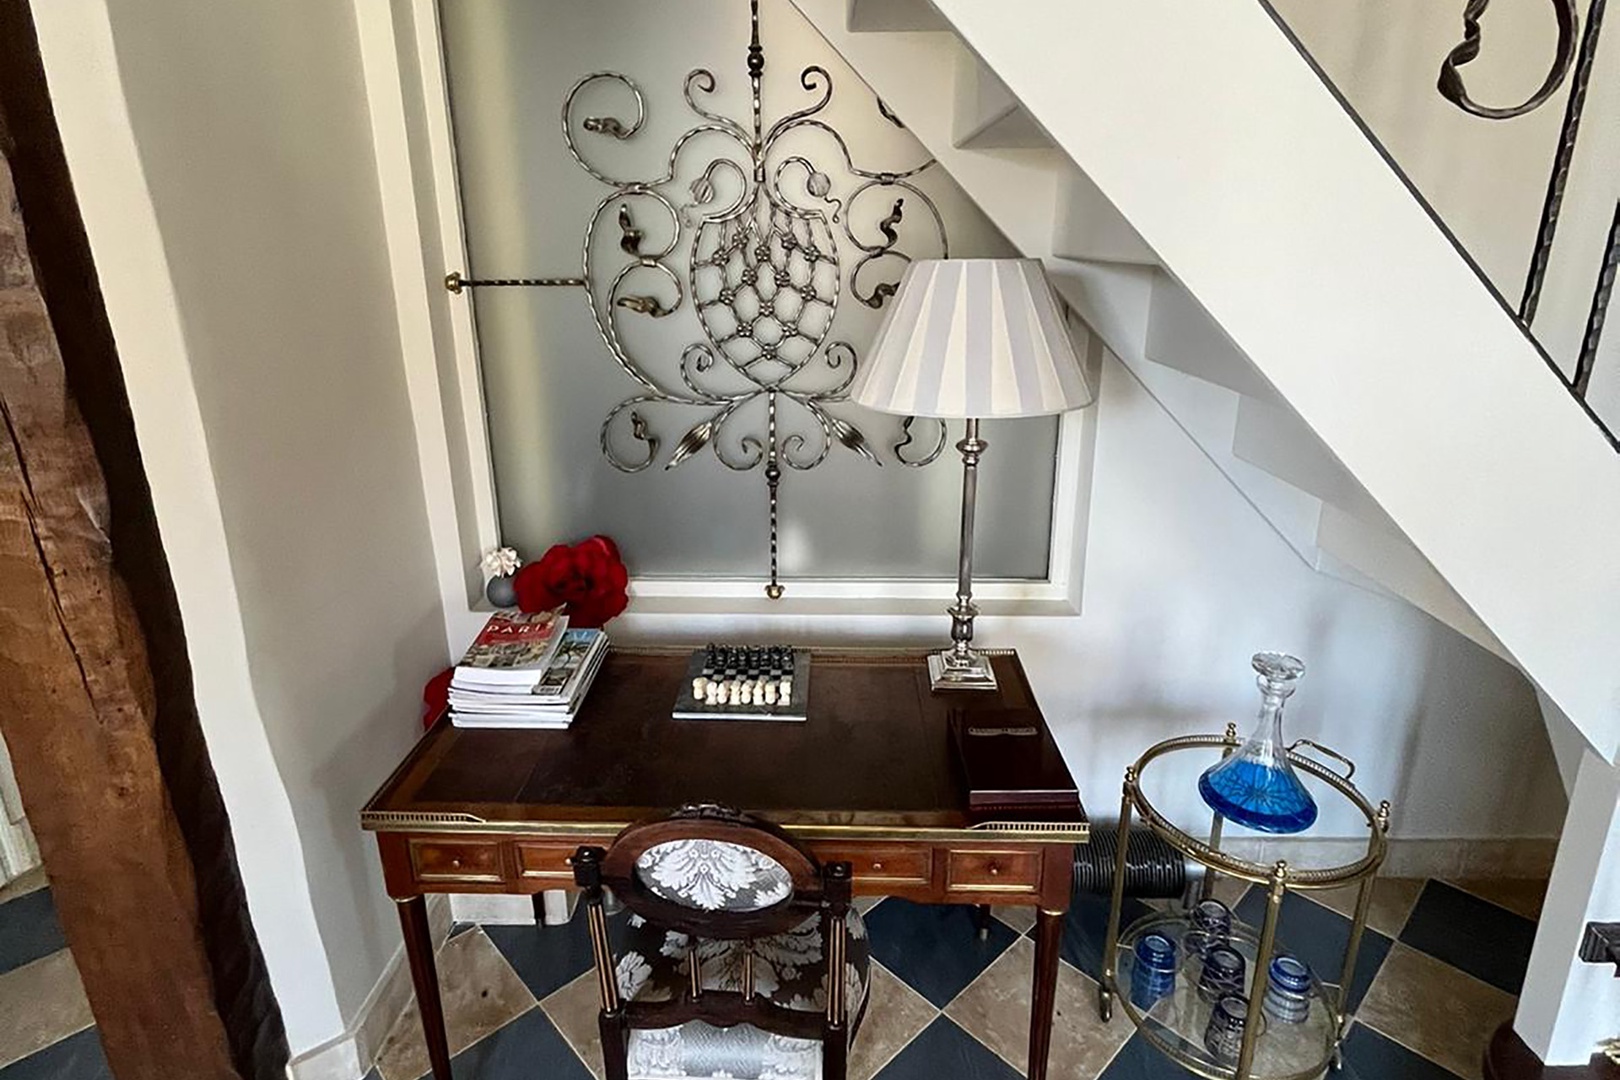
723	969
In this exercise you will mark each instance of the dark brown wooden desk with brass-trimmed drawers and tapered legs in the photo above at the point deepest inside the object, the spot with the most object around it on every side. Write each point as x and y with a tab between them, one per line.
871	778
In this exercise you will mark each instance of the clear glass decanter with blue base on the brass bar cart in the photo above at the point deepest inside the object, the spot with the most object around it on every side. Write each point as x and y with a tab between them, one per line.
1256	786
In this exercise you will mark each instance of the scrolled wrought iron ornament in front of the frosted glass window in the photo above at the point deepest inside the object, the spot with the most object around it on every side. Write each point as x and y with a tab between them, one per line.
761	234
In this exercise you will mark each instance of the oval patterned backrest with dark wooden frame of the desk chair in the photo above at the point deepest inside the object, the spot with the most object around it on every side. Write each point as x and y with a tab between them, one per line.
714	874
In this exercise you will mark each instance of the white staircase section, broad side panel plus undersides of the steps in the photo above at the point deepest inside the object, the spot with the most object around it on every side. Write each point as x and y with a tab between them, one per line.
1311	331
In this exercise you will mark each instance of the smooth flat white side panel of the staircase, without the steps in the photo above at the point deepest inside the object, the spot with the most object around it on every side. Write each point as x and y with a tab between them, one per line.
1242	171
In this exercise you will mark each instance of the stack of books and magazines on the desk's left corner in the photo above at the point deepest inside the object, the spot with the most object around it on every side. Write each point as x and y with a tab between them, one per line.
526	671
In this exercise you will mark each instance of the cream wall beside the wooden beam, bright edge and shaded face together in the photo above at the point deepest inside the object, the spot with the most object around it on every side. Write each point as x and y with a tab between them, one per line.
249	286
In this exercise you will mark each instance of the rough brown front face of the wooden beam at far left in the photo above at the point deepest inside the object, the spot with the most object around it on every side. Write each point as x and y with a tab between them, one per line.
79	712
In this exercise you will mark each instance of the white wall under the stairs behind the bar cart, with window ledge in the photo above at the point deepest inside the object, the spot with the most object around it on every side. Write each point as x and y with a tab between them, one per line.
1183	584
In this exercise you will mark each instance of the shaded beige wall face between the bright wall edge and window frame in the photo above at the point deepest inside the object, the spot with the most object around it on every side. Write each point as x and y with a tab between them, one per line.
255	135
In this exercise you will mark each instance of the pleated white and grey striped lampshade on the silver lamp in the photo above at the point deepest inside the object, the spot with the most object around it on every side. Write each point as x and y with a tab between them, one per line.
973	339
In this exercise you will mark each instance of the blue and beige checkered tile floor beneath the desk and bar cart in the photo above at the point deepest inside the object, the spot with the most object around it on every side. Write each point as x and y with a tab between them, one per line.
1441	969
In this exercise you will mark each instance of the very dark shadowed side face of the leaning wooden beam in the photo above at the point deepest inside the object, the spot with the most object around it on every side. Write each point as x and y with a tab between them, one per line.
66	274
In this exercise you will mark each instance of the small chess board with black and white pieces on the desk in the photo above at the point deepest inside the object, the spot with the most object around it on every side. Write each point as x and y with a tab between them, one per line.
746	684
